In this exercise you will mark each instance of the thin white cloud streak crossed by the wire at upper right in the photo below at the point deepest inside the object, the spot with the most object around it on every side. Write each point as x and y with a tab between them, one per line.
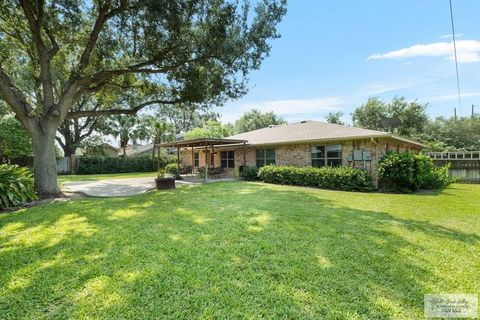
467	51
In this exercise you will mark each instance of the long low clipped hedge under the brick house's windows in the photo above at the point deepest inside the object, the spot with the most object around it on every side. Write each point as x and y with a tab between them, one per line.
336	178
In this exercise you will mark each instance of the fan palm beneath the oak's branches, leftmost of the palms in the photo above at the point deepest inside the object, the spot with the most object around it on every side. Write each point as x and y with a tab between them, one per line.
126	128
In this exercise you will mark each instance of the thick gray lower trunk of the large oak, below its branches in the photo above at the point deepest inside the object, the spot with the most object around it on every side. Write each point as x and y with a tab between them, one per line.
45	164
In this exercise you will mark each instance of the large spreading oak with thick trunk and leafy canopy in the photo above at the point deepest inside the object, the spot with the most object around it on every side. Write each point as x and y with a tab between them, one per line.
55	52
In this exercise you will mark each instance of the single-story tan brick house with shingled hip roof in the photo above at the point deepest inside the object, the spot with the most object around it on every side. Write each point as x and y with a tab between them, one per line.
307	143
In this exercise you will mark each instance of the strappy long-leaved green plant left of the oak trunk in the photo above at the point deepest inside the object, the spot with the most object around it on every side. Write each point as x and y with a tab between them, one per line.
16	186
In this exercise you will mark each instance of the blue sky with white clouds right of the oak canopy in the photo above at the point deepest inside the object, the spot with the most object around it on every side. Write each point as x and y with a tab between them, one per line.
333	55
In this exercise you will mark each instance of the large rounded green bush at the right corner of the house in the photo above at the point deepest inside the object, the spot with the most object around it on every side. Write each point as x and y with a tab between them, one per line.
407	172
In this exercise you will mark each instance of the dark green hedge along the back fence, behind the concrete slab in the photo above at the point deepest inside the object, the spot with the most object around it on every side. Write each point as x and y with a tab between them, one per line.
101	164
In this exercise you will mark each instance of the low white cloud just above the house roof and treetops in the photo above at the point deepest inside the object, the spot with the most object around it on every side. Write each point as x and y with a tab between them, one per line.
290	109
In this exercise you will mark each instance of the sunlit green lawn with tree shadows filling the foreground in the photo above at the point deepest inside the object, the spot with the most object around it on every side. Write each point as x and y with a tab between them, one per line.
240	250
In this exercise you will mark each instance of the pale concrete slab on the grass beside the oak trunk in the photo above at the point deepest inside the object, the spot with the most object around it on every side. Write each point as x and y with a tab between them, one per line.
111	188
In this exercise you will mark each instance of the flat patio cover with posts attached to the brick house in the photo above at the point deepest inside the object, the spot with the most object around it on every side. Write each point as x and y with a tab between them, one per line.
208	145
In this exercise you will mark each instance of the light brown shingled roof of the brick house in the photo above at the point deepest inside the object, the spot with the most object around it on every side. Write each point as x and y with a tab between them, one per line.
312	131
